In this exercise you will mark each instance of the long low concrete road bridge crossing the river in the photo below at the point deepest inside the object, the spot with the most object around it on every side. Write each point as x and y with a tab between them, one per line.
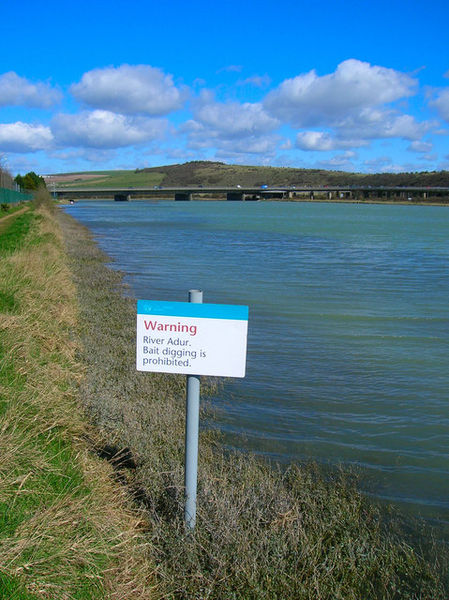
251	193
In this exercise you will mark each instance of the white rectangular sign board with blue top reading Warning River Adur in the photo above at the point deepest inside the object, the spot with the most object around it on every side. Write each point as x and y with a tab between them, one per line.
192	338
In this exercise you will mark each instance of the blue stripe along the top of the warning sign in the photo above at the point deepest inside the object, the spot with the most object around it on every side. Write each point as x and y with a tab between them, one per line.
192	309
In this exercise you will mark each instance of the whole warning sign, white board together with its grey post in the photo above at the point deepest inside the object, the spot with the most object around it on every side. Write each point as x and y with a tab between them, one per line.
193	339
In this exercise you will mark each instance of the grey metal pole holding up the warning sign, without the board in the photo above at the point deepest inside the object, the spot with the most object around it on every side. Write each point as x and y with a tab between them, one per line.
192	426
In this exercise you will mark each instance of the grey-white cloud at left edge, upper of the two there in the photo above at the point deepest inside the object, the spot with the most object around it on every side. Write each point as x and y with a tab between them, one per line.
18	91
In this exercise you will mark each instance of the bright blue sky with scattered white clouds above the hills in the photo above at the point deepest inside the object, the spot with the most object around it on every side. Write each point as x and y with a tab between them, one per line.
356	86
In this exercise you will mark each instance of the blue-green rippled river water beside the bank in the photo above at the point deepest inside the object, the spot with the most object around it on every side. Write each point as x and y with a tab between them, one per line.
348	332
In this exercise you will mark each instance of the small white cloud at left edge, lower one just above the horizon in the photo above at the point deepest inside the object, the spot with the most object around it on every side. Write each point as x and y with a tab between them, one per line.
23	137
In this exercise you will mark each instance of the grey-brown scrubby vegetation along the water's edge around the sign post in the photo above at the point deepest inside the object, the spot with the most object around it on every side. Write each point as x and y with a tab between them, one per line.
263	533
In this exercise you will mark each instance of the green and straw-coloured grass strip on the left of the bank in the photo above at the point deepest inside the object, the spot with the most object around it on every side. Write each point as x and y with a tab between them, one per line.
65	530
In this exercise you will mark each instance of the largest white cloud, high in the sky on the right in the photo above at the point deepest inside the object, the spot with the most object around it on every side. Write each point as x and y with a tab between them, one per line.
309	100
